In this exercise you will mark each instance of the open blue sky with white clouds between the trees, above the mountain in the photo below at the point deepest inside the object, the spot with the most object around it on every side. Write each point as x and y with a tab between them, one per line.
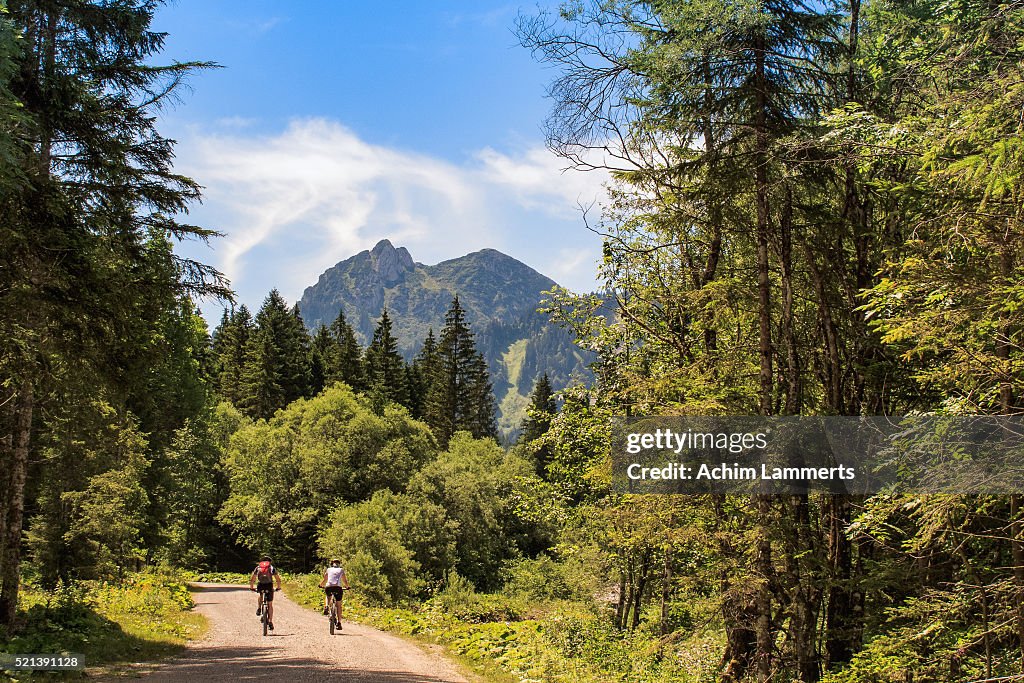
333	125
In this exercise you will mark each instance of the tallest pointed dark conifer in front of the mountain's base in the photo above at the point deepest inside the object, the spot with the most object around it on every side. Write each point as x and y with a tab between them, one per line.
459	395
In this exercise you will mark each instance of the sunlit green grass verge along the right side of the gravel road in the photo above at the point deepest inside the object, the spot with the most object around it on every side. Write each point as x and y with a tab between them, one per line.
513	638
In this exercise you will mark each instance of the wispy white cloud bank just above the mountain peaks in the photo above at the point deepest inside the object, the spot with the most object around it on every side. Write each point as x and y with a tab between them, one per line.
293	204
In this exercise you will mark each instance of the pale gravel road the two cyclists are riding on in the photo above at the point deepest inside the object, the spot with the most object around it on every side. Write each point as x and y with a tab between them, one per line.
300	650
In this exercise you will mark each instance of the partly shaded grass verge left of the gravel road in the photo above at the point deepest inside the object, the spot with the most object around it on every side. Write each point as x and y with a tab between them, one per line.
145	618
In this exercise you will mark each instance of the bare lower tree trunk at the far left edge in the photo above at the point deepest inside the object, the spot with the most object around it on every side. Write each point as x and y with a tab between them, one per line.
10	581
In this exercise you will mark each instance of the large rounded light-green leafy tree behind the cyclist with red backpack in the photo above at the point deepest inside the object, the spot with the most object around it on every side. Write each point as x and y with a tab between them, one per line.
287	475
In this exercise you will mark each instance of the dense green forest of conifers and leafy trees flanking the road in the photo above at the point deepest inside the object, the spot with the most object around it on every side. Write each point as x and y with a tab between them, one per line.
816	209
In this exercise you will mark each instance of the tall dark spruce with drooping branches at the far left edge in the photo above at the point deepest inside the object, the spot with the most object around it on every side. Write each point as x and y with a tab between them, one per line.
91	203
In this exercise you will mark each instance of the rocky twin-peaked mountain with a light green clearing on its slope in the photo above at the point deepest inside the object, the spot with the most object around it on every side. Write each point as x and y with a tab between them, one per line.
499	293
